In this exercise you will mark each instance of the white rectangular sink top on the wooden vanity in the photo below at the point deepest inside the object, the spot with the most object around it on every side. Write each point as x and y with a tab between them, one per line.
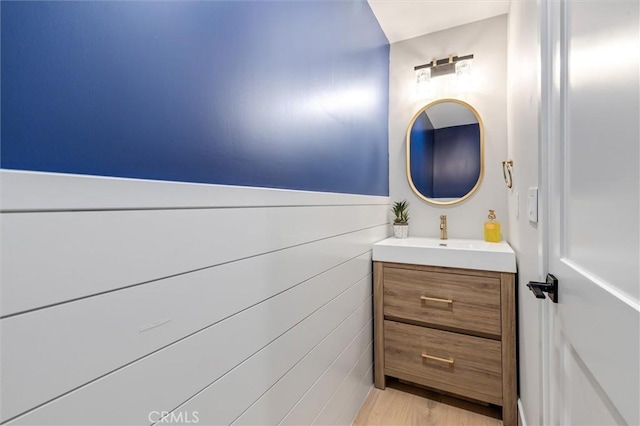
454	253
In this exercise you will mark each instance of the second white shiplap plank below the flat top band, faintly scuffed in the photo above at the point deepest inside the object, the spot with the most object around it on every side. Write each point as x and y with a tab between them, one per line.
51	351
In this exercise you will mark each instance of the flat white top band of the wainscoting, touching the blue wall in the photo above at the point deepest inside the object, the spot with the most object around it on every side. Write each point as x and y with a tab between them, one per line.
25	191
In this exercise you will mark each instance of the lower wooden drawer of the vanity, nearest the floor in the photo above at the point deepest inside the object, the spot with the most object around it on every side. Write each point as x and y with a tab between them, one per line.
454	362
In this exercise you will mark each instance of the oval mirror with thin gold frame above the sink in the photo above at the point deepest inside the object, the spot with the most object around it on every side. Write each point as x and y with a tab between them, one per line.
445	152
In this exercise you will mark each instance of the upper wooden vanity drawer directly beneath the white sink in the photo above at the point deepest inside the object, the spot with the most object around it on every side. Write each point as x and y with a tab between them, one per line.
459	301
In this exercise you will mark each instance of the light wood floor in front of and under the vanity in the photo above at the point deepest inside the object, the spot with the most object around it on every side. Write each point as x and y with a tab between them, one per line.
402	404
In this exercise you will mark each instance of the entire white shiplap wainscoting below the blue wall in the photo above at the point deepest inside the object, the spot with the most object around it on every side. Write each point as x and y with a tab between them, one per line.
124	301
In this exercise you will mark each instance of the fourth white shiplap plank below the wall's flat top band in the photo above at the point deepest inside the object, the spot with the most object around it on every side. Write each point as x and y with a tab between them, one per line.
226	399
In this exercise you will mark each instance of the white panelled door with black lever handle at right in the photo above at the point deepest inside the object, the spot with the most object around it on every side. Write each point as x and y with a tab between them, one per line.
593	212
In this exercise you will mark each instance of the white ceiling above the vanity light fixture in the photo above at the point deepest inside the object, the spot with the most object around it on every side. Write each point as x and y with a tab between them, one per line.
404	19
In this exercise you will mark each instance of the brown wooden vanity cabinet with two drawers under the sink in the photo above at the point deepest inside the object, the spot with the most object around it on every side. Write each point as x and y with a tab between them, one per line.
448	329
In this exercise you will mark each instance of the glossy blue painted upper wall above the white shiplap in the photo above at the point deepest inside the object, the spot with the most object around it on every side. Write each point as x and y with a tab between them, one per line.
273	94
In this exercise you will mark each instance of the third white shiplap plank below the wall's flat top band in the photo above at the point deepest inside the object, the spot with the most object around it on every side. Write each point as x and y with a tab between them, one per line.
170	376
